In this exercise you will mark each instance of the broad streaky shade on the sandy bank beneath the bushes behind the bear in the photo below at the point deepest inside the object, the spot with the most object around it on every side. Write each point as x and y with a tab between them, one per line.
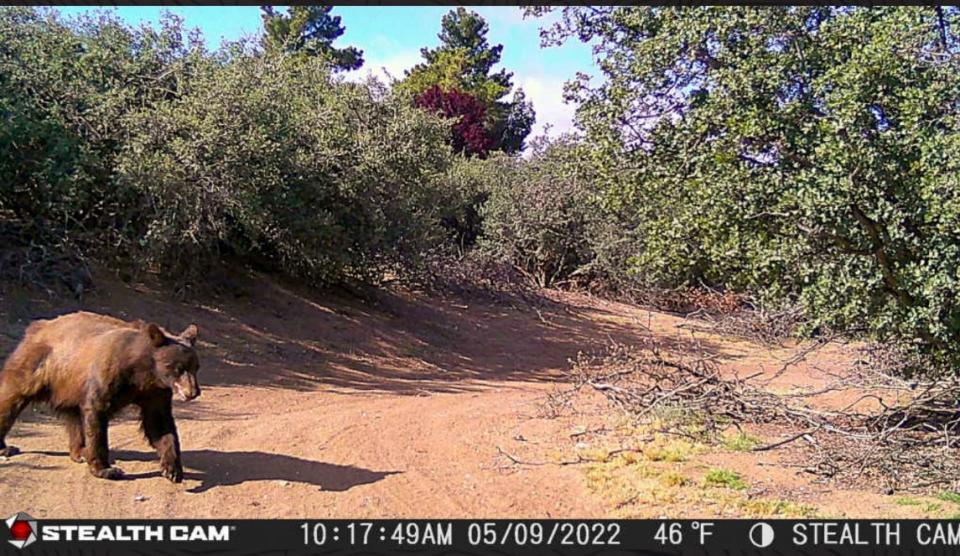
277	335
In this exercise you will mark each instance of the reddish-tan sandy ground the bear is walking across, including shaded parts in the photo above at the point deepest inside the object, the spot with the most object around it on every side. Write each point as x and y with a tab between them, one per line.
317	405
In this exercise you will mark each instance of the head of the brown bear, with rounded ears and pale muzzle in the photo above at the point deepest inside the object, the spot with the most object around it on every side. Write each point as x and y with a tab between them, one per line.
175	361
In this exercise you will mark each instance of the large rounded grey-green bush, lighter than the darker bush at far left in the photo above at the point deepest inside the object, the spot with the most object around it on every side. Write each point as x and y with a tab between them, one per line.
271	159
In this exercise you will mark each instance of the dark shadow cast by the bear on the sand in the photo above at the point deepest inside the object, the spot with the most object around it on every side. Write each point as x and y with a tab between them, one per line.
215	468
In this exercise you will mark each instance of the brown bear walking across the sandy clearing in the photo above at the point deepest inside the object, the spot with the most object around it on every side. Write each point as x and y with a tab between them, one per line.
88	367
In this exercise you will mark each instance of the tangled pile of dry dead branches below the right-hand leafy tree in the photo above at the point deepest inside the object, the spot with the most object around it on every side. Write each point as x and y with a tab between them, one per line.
897	433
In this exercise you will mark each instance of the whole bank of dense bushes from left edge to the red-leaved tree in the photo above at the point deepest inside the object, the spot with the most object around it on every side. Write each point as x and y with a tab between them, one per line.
150	152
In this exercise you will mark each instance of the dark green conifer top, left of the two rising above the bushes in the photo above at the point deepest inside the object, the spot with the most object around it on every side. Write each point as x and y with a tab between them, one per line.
310	30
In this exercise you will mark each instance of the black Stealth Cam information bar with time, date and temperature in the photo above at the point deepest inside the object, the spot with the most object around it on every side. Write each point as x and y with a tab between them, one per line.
25	535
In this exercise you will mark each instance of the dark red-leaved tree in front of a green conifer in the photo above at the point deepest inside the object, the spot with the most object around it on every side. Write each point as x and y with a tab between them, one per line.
469	134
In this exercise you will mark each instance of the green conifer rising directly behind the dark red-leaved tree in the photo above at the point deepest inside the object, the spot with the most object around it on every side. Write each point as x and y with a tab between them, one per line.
464	62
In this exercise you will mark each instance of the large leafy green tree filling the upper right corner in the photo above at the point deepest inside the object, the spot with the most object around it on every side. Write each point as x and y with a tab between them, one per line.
803	153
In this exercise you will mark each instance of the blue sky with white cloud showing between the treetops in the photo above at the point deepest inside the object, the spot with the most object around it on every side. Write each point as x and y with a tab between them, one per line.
391	38
